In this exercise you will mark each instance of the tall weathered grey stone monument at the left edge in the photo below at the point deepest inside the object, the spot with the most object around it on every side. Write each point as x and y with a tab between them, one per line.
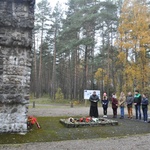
16	24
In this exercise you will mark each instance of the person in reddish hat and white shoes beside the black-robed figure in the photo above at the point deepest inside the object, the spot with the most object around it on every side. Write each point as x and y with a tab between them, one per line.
105	104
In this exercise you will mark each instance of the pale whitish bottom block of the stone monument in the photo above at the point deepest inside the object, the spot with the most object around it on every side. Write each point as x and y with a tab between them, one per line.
11	121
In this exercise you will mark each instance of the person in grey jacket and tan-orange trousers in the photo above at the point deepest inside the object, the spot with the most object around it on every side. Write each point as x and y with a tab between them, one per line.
129	102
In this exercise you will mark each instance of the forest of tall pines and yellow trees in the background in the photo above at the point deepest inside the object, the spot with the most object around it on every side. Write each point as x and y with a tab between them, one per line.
92	44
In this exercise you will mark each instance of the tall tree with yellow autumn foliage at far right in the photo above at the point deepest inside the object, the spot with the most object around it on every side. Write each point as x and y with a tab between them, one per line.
133	41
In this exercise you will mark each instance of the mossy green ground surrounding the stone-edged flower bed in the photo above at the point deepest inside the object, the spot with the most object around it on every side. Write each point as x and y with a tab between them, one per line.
52	130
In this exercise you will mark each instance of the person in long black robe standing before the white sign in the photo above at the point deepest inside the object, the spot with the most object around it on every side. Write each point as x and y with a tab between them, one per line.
93	107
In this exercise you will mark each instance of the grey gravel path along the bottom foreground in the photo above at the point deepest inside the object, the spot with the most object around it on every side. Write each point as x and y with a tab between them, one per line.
126	143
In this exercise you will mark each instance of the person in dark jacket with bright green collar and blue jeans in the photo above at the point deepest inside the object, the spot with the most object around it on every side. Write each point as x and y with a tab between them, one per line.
137	104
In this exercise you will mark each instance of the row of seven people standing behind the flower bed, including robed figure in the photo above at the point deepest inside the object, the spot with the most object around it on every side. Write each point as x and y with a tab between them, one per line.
139	101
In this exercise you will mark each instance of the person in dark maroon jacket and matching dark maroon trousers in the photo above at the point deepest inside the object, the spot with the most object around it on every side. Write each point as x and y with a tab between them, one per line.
114	105
